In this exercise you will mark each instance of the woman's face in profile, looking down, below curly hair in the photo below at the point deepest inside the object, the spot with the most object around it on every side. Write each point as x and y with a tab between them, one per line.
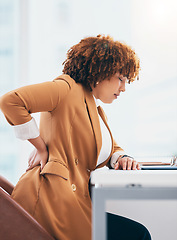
109	90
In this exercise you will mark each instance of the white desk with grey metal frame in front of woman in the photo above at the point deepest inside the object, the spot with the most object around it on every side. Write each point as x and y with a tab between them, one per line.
149	197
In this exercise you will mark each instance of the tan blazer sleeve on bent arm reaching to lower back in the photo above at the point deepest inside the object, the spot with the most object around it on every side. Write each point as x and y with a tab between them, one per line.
18	105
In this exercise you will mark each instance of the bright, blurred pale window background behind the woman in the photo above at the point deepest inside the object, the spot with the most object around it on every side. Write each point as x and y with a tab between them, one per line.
34	39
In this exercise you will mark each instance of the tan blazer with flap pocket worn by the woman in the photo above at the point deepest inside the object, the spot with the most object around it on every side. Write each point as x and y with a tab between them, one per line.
58	196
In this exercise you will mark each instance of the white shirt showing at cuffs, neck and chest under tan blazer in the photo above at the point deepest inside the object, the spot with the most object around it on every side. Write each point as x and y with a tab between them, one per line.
30	130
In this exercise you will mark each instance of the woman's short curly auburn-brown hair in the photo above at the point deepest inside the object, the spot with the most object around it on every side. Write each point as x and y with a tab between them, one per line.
95	59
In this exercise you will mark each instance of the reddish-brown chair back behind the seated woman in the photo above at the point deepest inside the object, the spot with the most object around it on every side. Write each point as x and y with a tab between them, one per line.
15	222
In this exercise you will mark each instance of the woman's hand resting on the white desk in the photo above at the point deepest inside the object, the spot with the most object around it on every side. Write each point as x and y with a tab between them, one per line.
126	163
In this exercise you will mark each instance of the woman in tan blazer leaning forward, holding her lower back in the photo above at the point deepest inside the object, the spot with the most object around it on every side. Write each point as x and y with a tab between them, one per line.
74	138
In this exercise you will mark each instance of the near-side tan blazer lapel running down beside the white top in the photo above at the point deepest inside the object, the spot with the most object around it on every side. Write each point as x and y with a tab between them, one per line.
93	114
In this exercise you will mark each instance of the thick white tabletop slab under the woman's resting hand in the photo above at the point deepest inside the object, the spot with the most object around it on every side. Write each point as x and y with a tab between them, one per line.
148	178
